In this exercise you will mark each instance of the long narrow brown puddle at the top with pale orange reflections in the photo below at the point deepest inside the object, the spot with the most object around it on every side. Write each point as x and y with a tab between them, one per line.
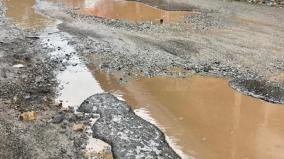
125	10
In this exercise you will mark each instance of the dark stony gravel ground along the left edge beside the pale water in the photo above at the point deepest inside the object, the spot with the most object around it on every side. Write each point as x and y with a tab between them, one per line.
28	83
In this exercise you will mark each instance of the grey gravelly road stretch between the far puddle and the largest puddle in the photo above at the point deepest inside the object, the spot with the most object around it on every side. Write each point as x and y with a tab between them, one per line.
224	39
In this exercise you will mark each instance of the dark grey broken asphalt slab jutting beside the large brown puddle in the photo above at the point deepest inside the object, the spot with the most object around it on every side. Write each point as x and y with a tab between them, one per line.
129	135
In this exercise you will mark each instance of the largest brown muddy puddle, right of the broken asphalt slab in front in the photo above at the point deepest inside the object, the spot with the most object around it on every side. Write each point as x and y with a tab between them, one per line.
205	116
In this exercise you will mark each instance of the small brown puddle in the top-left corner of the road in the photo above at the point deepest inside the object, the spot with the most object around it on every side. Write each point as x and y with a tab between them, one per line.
24	15
